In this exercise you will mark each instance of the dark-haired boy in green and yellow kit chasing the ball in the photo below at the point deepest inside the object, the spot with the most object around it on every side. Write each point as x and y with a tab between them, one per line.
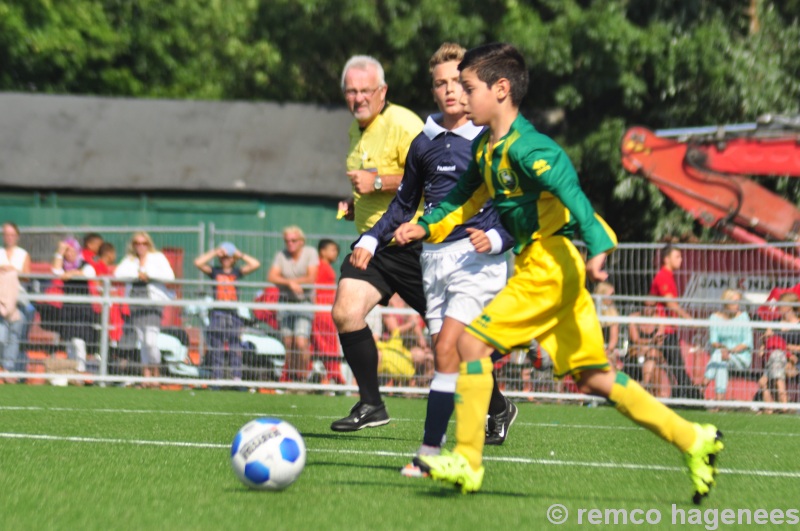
535	189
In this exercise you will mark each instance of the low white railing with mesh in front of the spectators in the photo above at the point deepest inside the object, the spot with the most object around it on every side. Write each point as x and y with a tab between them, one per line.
105	338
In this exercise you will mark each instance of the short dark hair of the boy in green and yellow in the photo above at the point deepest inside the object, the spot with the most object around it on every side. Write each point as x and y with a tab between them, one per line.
492	62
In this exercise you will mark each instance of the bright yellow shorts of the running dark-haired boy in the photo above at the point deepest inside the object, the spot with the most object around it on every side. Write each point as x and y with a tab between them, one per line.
546	299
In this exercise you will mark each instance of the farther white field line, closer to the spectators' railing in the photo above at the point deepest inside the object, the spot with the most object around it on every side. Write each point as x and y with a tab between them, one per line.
255	414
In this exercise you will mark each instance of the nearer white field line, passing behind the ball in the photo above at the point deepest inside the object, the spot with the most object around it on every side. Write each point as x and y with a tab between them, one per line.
381	453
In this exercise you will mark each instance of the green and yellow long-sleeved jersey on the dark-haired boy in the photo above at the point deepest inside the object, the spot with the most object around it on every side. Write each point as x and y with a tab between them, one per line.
533	186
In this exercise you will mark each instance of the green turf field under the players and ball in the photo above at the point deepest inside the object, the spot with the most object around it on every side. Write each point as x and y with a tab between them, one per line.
94	458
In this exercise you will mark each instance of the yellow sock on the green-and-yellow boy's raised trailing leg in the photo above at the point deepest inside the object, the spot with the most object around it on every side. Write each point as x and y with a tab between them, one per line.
641	407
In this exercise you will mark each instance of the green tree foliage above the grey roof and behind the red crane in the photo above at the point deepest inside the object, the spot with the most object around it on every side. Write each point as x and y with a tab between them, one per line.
596	66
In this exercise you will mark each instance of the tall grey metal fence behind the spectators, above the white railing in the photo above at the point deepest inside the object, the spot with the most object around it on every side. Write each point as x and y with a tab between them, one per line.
707	268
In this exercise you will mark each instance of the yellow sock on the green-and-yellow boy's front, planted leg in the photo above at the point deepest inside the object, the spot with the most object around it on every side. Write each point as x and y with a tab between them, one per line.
473	391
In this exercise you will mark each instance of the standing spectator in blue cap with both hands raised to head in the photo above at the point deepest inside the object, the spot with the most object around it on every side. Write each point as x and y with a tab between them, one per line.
225	325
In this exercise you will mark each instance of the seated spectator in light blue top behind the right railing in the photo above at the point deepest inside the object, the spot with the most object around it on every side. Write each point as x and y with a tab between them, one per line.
733	345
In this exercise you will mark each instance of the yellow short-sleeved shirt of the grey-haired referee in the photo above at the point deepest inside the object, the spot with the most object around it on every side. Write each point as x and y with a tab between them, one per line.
381	147
